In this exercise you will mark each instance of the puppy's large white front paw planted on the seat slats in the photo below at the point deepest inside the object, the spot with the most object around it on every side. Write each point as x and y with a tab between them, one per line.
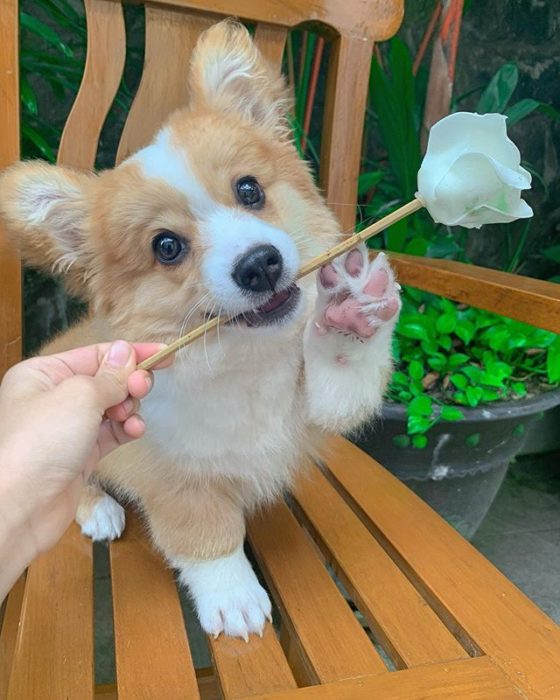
227	595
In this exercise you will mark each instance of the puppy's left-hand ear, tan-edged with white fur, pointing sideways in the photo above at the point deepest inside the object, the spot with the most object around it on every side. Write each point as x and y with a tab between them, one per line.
44	209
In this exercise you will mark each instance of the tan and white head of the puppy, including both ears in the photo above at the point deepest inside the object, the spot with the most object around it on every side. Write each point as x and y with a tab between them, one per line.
214	216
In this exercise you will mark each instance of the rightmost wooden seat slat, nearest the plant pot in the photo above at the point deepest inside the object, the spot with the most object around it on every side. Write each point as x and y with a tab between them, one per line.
457	580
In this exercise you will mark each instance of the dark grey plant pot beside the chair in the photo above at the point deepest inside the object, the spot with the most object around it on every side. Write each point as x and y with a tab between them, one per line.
463	466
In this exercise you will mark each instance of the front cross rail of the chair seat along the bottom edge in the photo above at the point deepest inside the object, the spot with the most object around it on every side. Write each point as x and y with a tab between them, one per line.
471	679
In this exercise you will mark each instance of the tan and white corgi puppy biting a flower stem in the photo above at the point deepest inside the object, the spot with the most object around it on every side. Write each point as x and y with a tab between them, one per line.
213	218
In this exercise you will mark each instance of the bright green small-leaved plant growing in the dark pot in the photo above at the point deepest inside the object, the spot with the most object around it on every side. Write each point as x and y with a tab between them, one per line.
451	356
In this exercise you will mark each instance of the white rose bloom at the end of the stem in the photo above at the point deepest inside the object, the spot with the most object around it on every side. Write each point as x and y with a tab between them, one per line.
471	173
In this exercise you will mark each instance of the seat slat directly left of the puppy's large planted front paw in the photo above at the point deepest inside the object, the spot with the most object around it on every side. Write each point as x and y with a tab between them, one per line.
152	653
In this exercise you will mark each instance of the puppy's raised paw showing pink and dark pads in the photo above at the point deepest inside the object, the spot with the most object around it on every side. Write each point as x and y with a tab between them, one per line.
356	296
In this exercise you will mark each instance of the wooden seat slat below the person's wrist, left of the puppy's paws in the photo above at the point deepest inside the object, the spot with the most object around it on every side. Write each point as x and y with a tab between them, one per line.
54	649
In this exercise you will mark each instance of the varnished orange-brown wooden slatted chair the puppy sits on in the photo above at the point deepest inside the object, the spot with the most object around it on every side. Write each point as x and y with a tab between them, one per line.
449	624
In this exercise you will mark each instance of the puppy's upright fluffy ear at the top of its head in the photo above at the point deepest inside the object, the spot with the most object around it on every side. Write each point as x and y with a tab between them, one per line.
230	75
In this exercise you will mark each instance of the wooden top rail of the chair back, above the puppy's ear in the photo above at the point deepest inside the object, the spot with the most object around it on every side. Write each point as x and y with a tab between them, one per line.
375	20
